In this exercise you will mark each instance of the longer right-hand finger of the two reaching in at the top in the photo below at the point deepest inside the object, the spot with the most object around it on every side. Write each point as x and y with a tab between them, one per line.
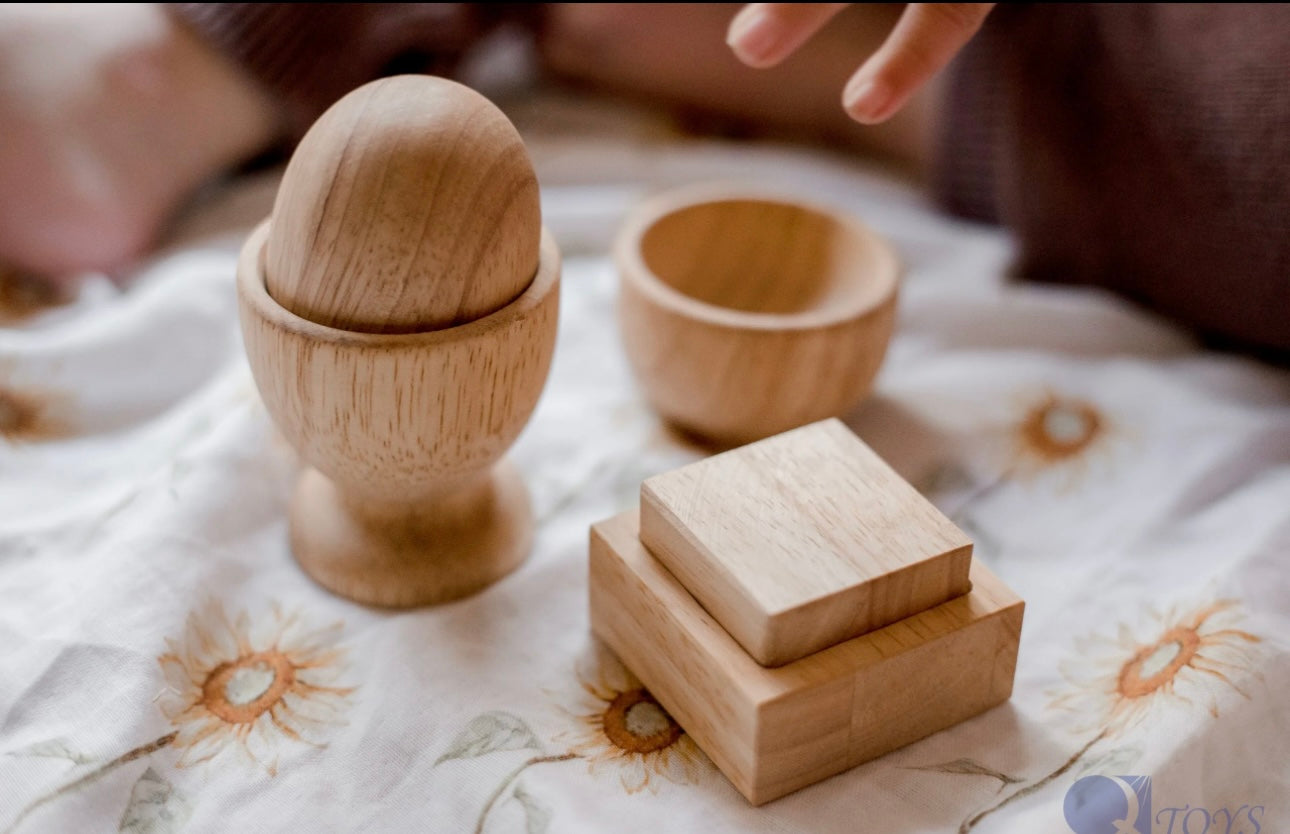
924	41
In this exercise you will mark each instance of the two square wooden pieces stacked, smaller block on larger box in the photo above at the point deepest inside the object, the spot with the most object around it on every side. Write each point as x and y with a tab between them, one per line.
800	609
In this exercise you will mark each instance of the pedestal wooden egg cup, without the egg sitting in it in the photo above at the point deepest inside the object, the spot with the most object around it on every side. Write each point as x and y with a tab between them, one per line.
406	501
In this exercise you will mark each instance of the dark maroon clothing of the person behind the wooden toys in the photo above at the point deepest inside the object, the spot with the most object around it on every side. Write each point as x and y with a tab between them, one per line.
1145	149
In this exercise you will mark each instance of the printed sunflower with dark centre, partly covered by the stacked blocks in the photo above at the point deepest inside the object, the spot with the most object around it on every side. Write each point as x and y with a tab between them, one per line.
620	726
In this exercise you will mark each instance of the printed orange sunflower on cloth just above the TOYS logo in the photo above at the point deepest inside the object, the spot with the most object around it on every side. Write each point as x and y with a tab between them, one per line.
1189	659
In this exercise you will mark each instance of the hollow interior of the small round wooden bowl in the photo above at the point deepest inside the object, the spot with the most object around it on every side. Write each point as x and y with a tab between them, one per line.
768	257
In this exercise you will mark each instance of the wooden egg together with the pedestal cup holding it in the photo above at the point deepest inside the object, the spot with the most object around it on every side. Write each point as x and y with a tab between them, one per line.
402	416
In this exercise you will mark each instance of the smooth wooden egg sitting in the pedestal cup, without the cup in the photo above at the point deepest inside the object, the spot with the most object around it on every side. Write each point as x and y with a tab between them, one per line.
410	206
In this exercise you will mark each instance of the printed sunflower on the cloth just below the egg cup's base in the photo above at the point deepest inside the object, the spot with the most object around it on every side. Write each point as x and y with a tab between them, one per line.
233	686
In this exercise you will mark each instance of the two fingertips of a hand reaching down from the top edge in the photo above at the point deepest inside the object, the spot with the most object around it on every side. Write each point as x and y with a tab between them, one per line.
924	41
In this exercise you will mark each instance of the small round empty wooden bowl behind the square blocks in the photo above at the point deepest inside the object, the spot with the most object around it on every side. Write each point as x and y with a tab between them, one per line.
745	316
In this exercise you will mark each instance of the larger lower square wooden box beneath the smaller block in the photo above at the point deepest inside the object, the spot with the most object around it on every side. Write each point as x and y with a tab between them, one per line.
773	732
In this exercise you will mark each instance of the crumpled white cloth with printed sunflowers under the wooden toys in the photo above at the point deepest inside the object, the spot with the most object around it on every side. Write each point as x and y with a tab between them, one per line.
166	667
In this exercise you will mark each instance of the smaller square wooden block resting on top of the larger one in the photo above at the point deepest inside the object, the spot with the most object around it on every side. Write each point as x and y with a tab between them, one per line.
803	541
